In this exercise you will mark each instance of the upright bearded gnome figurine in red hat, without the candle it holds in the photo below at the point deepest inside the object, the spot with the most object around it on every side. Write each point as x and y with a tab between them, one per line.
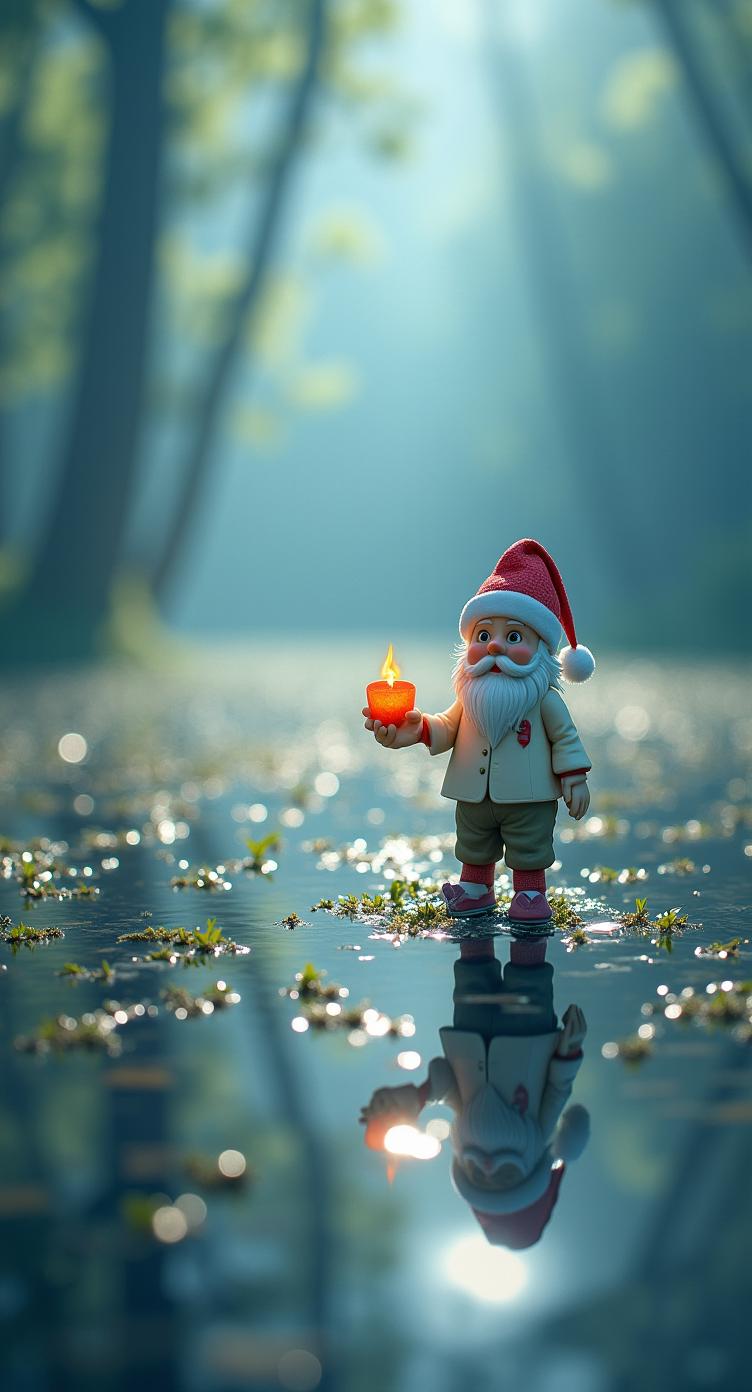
515	747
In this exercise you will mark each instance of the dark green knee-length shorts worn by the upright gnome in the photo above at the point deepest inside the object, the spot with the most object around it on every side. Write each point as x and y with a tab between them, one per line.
519	832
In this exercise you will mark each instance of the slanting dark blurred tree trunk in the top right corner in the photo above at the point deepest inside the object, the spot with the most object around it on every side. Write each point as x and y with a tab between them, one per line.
677	27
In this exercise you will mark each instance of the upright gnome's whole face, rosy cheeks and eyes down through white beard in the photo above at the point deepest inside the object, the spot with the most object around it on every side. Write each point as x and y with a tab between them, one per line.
505	670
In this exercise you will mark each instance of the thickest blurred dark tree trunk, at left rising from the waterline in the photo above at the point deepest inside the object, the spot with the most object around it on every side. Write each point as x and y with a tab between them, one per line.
68	599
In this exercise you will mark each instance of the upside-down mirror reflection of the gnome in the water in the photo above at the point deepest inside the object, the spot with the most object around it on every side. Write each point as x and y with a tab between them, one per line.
508	1073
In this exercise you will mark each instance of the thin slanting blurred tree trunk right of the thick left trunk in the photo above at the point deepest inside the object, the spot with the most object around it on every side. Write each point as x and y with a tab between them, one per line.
246	307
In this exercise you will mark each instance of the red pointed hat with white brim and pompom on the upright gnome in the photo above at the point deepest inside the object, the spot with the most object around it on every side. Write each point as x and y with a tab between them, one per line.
527	587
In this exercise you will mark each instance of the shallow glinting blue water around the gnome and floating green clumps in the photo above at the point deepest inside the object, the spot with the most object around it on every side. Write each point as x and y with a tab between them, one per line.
331	1266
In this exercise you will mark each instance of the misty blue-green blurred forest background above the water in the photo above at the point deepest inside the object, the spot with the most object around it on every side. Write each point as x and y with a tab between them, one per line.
308	308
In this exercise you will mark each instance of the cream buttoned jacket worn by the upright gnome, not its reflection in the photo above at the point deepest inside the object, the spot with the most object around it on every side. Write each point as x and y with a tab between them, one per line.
526	768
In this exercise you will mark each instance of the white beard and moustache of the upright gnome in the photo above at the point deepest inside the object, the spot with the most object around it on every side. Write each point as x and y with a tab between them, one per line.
498	694
